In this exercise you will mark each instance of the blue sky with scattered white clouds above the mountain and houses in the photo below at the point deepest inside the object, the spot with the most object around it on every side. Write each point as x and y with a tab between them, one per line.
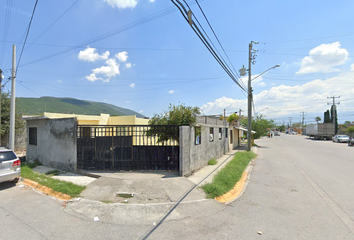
143	55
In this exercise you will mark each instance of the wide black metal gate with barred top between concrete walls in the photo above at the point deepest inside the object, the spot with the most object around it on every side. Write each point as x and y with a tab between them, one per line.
128	147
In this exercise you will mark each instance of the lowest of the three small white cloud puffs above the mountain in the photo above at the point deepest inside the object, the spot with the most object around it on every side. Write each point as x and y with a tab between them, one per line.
108	71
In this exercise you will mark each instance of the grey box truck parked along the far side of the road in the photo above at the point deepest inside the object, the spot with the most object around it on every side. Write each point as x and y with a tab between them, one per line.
320	130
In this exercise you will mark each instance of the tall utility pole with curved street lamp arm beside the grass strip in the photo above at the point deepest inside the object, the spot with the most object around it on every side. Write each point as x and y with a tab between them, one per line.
243	72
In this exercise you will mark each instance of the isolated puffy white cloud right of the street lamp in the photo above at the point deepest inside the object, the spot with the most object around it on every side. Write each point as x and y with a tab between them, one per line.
324	58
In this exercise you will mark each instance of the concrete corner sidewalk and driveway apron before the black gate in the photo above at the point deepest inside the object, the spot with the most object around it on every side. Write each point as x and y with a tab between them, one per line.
142	198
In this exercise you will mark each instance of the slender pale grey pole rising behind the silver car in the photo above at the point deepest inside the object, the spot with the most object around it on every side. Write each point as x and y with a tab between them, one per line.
12	109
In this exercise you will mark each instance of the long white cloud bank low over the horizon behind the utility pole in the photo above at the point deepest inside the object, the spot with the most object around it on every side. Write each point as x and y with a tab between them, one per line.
285	101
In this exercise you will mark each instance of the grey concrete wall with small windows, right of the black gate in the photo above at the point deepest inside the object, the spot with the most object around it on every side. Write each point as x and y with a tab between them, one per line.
194	157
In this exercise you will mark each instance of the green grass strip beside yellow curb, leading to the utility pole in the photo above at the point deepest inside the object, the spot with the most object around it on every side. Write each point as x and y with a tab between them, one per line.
226	179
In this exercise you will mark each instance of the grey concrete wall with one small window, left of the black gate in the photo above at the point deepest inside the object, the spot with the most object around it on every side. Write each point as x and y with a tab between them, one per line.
56	143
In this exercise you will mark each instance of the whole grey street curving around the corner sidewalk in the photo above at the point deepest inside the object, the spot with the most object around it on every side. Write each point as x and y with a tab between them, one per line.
299	189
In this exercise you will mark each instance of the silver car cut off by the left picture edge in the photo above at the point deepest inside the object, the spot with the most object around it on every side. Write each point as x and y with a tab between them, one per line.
10	165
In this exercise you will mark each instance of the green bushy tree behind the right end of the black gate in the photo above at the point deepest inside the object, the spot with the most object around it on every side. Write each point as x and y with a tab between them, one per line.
180	115
